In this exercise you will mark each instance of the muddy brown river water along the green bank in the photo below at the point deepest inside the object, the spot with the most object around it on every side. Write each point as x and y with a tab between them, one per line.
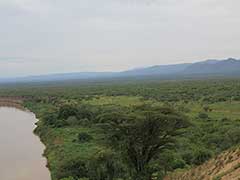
20	150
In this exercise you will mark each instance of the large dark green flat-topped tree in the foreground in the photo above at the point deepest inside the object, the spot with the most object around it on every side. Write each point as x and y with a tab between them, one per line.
143	138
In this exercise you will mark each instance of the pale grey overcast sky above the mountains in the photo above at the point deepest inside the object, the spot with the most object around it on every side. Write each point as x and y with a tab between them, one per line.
58	36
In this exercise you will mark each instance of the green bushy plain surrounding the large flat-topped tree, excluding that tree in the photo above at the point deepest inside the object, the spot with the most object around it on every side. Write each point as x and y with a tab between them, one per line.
211	106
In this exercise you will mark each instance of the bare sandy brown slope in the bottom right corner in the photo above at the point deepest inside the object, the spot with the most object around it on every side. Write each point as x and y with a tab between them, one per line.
225	166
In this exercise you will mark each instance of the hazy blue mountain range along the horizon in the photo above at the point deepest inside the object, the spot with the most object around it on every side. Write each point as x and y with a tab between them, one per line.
213	67
